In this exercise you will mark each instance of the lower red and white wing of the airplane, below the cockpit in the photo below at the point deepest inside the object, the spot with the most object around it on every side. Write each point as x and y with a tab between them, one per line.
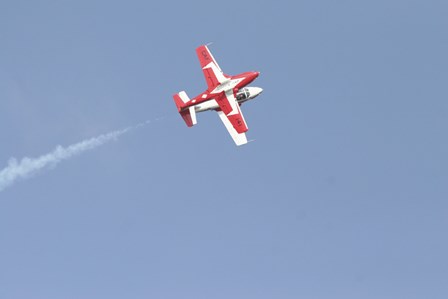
233	121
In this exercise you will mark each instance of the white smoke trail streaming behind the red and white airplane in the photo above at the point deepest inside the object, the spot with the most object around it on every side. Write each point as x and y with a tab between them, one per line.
28	167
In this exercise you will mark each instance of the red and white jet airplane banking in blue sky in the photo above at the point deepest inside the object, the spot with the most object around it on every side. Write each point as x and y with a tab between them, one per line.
224	94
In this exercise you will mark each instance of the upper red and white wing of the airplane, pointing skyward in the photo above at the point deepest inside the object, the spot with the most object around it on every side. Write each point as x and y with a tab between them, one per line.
212	72
